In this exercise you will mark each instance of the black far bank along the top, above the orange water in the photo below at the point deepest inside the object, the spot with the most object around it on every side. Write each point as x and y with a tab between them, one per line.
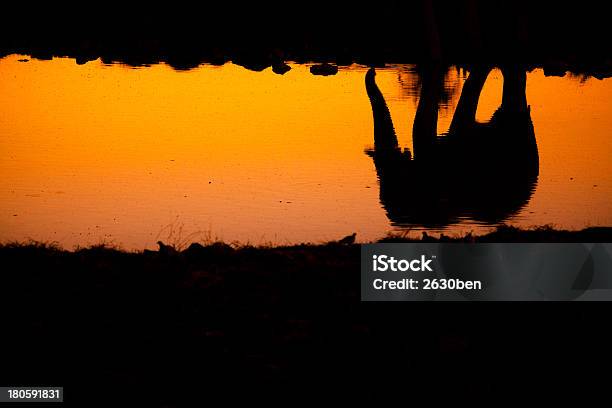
553	36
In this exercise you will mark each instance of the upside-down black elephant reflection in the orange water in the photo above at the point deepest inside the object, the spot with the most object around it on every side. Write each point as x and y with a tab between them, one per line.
485	172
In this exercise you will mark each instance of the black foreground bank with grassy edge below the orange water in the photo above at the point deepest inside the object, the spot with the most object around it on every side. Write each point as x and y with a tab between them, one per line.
281	324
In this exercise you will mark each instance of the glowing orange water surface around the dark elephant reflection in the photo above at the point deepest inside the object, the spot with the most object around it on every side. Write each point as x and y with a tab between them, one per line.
97	153
